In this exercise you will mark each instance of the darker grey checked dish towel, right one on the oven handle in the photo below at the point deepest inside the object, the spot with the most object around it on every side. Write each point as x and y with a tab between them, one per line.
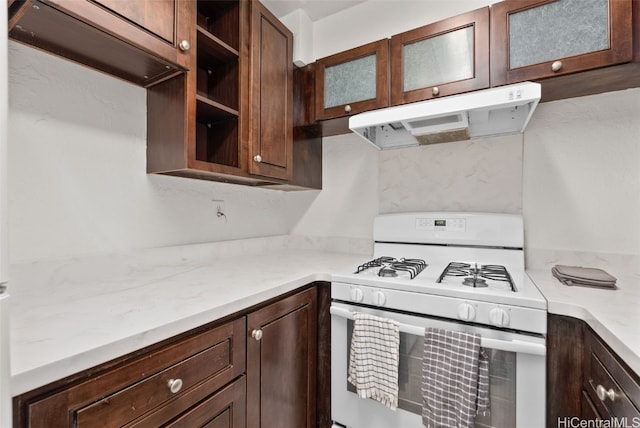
455	379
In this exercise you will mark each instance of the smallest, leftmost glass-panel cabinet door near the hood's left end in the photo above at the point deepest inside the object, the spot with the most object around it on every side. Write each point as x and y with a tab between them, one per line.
353	81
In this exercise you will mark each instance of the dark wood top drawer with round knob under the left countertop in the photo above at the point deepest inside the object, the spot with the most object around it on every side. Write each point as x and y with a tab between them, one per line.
203	363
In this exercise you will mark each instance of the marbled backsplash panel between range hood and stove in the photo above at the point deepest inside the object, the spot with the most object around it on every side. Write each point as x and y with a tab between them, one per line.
475	175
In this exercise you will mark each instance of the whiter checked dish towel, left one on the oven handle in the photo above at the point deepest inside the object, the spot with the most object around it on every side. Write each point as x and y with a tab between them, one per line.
373	358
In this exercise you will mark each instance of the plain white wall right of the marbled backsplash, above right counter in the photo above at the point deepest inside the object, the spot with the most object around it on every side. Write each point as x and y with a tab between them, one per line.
582	174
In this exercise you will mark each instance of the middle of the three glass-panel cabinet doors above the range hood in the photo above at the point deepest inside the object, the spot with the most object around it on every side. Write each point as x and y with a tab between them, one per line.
443	58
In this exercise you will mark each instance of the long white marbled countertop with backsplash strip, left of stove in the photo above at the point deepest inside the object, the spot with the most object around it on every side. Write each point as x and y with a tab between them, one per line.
68	316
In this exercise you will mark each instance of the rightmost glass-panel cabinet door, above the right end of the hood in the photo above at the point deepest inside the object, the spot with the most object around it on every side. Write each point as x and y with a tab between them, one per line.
536	39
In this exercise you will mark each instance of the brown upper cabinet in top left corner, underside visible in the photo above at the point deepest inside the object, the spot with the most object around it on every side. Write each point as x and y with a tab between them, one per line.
140	41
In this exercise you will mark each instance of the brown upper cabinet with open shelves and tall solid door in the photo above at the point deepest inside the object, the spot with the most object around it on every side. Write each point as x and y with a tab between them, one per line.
229	118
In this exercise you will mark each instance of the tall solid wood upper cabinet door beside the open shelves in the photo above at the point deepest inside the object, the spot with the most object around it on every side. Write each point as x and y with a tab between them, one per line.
271	96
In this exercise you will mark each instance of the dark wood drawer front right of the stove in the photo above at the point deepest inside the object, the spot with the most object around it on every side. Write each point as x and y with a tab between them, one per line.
609	383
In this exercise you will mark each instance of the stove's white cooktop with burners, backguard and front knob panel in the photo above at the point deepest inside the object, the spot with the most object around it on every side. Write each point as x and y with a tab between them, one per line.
465	266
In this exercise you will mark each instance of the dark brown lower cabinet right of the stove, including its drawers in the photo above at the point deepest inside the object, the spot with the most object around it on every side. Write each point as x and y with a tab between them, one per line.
586	380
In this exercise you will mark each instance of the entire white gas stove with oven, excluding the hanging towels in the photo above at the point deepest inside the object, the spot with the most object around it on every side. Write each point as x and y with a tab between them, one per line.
447	270
